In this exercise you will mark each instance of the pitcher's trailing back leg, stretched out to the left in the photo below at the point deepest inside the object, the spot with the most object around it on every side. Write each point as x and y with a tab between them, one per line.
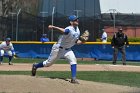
51	59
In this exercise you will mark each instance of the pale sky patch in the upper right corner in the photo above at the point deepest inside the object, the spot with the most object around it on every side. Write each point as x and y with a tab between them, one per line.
122	6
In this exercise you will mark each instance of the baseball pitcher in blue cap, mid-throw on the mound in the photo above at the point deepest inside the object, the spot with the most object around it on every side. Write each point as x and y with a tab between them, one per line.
70	37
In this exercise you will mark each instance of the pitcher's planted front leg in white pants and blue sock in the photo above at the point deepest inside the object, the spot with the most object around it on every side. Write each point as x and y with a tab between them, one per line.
69	55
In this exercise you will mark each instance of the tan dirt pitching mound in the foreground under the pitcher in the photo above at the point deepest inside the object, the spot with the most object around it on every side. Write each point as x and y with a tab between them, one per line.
29	84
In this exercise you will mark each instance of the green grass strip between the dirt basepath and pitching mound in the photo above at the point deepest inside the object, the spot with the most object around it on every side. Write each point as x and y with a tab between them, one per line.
113	77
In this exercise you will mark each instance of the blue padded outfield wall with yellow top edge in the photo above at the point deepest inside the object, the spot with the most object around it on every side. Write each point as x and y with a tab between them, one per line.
98	50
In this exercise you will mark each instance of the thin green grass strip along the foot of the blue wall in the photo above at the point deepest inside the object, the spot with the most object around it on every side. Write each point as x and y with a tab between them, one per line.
62	61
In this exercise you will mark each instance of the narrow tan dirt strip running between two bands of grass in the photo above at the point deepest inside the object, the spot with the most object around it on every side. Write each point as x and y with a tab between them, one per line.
66	67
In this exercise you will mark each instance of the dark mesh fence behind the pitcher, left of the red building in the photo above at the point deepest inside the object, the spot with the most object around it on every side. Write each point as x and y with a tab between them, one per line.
26	27
